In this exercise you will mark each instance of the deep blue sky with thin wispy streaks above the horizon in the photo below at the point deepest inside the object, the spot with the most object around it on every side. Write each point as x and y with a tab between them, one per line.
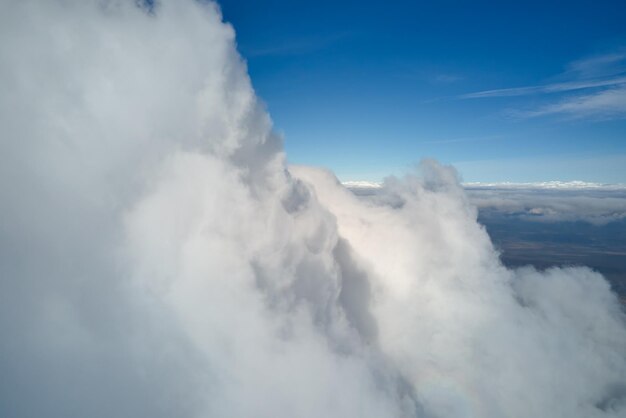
505	91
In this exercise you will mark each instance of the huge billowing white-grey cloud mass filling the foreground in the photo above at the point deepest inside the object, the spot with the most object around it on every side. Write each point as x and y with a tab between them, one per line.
159	259
